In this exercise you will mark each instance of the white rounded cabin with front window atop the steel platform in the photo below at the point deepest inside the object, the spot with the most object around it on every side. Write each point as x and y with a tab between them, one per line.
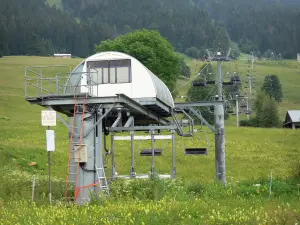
107	74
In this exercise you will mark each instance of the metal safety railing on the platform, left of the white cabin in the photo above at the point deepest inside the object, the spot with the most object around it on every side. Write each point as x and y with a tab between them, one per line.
47	80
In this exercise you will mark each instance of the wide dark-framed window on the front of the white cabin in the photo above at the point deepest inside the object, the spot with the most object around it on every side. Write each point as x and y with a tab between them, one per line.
110	71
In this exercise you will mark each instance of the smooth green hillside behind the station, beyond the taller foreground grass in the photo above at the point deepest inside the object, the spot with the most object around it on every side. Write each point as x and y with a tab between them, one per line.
251	153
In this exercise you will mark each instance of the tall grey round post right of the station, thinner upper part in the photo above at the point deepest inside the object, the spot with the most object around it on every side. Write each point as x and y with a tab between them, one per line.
219	132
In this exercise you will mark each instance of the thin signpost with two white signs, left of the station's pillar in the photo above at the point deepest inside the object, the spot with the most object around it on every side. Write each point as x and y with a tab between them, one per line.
49	119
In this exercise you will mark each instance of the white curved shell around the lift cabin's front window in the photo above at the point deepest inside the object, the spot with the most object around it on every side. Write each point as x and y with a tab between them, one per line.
144	84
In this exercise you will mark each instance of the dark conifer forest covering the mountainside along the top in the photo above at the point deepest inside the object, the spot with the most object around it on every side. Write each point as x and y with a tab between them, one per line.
76	26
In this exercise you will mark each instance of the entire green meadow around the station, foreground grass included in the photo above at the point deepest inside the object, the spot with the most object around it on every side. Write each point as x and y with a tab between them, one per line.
251	154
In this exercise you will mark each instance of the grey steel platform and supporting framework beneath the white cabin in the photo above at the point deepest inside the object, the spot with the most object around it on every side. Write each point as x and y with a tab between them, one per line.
113	114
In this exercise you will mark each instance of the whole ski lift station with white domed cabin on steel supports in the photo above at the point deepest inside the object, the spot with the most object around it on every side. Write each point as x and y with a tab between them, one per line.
109	93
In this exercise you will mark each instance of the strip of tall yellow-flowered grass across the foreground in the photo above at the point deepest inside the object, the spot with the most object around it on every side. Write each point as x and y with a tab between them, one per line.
169	201
